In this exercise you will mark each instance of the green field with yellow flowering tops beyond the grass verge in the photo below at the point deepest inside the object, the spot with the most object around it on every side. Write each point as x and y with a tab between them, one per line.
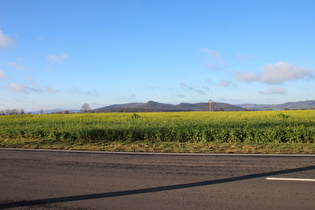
154	127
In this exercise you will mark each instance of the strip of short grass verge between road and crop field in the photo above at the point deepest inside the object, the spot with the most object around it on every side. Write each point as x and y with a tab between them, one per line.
165	147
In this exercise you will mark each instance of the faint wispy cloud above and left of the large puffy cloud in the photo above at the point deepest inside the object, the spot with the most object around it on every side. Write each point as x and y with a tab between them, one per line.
214	60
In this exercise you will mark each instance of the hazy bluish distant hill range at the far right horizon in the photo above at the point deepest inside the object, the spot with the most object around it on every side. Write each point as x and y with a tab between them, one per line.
309	104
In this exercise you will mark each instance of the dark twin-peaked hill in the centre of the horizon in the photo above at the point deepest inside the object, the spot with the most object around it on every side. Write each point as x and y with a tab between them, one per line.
152	106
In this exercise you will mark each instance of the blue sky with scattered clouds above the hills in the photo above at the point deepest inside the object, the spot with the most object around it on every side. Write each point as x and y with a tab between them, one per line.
62	54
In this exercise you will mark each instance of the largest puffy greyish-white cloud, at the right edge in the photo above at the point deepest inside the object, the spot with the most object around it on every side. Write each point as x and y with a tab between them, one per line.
276	73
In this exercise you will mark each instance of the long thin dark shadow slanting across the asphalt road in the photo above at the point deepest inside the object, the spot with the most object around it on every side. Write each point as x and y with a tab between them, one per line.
148	190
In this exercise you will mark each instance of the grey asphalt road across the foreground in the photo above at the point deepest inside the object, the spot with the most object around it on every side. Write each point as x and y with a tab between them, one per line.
31	179
